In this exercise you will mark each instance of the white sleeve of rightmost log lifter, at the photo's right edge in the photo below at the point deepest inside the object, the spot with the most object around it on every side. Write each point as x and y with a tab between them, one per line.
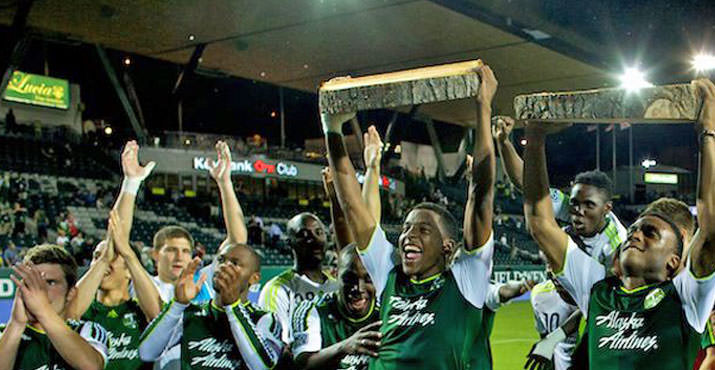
697	296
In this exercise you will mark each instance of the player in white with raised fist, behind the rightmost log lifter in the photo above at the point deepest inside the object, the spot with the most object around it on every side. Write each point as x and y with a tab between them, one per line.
587	210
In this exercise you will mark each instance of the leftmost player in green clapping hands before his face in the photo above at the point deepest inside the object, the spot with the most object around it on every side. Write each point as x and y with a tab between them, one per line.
38	334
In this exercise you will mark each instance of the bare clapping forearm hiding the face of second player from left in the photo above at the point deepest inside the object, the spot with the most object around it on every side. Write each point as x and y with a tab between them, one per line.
146	292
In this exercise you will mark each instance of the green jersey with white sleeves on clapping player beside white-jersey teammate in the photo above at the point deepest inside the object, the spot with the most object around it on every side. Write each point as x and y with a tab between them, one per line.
212	337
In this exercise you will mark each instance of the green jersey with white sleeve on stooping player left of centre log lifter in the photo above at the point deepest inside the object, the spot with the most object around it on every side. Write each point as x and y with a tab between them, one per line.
318	325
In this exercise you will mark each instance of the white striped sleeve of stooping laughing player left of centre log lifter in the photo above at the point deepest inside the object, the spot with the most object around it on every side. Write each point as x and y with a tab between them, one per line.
306	329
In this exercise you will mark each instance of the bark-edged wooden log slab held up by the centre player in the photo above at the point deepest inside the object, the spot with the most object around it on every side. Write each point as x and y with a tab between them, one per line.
394	89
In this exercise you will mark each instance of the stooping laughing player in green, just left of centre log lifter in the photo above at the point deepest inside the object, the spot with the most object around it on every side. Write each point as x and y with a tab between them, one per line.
340	330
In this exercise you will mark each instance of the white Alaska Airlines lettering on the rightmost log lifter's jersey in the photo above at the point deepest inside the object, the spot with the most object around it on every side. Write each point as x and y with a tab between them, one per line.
623	324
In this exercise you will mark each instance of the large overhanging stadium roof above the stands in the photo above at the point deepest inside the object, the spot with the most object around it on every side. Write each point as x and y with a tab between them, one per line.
299	43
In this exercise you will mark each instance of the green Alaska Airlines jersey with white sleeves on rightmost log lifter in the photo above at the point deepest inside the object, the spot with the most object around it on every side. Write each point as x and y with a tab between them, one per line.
658	326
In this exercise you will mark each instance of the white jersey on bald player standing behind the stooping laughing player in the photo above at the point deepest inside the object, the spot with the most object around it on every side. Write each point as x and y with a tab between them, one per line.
282	294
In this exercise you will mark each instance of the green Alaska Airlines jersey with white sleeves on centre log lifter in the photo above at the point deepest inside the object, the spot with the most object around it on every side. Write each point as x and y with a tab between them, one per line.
437	323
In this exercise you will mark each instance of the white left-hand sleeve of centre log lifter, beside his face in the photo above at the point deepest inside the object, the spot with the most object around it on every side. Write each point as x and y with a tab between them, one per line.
377	258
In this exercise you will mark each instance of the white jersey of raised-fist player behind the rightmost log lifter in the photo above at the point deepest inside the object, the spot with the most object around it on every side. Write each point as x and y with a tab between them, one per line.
602	246
